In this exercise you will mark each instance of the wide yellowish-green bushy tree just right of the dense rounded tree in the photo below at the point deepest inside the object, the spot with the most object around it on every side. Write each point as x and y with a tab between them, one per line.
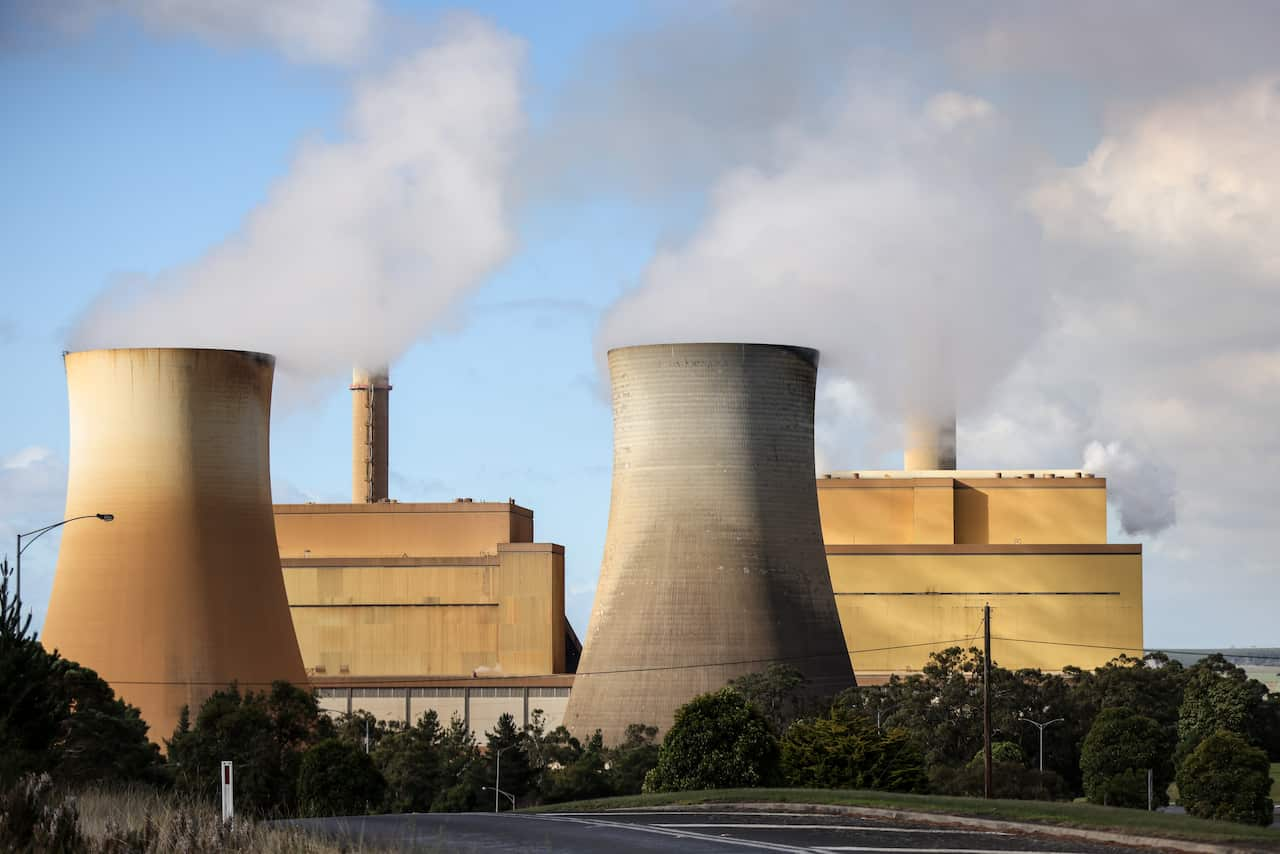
843	750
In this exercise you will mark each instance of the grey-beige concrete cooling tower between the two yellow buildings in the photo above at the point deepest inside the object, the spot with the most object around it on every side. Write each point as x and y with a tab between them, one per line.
714	564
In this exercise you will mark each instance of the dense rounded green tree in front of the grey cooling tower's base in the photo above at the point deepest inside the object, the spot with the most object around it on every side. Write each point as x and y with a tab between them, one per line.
717	741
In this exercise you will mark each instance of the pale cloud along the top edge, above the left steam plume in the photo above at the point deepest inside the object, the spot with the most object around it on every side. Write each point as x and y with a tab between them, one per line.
309	31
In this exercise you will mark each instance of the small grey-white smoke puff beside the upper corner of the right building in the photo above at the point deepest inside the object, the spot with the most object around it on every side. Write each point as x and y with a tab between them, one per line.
1140	490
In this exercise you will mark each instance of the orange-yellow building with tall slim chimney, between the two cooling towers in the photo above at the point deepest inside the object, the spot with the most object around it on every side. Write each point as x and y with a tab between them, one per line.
401	608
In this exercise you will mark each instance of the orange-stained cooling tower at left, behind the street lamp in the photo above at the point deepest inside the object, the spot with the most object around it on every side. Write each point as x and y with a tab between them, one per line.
182	593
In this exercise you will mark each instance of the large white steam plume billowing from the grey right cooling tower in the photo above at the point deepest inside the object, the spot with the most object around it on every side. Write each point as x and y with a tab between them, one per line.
892	240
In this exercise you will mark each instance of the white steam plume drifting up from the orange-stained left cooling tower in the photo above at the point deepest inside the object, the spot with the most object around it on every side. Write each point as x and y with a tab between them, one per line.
367	241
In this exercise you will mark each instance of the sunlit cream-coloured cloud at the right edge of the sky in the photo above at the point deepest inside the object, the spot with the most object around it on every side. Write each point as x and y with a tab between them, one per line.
1192	177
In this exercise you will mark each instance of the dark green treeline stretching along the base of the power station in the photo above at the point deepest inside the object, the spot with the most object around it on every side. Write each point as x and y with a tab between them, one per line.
1208	727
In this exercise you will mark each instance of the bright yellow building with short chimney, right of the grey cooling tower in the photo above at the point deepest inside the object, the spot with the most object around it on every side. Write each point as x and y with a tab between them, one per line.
916	555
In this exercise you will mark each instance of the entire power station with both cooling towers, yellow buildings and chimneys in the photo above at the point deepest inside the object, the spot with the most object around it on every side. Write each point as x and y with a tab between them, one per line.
721	559
